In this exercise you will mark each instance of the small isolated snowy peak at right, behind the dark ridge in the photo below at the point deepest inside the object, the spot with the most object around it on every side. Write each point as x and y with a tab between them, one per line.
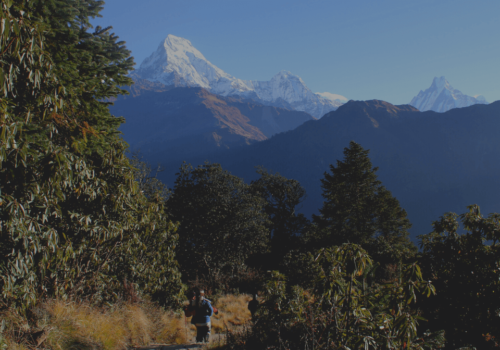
441	97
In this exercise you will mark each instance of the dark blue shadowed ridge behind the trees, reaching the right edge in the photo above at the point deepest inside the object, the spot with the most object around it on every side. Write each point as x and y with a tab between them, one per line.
431	162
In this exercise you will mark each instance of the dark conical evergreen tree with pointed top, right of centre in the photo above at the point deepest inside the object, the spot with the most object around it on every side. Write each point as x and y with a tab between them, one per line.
358	209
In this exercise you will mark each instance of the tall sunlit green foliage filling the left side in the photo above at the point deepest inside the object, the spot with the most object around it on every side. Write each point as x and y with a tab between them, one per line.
73	222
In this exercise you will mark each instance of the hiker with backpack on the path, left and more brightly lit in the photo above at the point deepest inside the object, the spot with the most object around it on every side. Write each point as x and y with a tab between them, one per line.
201	309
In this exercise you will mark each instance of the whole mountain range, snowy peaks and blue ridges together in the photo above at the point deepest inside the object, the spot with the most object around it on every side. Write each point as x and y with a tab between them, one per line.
183	108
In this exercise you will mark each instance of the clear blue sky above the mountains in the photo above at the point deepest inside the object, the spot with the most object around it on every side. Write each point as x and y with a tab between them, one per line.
361	49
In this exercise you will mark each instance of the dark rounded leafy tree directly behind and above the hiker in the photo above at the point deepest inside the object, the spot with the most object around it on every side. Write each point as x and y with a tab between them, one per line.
222	222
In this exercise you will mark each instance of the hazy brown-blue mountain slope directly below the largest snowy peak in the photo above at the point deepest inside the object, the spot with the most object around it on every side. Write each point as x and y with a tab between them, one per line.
178	123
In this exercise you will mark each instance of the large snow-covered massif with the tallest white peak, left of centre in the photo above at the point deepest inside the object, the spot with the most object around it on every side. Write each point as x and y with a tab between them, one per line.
177	62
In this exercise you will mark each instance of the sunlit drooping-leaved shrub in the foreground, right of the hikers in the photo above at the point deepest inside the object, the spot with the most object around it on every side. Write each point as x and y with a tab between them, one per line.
340	310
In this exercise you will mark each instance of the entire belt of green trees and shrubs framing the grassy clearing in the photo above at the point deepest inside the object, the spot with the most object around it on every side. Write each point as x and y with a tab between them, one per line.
79	220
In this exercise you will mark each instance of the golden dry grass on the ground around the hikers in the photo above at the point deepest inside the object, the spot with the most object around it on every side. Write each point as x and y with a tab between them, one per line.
70	325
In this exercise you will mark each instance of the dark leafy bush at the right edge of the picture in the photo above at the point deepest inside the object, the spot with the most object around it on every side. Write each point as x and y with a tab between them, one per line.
466	270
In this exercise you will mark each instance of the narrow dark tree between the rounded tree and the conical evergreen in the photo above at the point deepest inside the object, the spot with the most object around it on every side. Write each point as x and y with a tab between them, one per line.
282	197
